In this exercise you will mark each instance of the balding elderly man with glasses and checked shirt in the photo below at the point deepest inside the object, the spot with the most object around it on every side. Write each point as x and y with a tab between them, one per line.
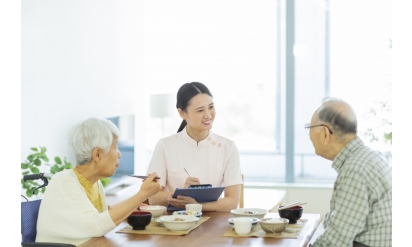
361	204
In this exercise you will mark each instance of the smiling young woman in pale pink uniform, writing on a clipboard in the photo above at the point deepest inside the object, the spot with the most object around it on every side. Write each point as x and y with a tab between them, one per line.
209	158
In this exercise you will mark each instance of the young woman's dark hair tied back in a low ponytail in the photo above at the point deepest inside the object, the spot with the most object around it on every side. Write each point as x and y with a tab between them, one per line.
186	92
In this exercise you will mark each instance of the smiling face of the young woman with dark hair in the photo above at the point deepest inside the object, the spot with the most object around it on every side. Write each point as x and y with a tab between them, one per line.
200	113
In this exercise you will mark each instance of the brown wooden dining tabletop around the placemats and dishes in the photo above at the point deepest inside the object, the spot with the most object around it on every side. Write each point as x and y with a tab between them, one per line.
209	234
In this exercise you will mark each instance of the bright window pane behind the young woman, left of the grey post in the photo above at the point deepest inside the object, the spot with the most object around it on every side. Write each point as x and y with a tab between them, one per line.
230	46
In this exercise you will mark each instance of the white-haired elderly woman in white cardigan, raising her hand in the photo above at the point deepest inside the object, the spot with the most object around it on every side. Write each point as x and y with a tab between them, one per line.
74	208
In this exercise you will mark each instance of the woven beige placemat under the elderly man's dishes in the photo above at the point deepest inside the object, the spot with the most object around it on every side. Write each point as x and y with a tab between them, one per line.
291	231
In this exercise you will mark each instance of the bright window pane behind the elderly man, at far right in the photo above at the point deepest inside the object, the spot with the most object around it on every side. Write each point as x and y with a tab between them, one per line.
361	58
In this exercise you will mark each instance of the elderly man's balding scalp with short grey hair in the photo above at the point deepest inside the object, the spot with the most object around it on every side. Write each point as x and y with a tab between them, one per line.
339	115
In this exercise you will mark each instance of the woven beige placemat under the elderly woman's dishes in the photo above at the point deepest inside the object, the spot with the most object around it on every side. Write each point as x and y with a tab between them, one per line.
155	228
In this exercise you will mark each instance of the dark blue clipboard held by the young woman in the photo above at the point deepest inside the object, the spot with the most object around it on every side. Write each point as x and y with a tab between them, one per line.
210	194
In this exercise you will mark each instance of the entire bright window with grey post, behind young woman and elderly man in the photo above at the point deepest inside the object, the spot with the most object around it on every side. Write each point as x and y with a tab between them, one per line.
238	49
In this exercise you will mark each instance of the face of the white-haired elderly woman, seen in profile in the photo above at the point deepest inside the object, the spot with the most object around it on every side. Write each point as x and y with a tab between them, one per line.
109	162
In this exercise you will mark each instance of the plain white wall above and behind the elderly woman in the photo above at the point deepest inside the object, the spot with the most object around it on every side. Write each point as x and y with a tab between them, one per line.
79	59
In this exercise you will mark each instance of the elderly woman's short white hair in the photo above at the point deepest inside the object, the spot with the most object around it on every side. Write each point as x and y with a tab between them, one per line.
90	134
